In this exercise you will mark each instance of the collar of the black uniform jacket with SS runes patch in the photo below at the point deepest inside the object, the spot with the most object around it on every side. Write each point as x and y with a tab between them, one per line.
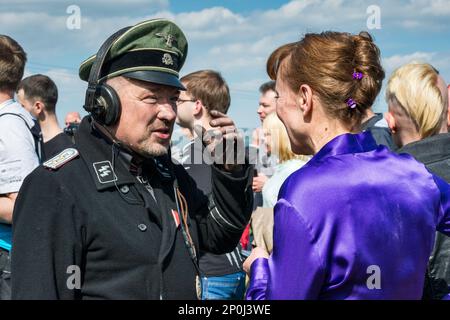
109	168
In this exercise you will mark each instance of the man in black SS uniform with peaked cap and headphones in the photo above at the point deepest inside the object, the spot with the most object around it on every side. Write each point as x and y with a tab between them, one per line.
113	217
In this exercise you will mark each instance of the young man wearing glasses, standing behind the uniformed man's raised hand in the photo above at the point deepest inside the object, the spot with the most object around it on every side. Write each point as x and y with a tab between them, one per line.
207	93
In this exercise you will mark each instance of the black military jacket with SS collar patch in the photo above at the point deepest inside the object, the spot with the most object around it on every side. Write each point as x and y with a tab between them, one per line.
92	218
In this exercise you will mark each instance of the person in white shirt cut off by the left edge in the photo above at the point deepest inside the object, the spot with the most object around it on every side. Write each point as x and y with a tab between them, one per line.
18	155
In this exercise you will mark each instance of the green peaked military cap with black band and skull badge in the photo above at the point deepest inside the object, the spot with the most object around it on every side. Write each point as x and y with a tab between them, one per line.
153	51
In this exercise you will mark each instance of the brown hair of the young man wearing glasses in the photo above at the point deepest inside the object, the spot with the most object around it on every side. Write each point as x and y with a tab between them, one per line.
210	88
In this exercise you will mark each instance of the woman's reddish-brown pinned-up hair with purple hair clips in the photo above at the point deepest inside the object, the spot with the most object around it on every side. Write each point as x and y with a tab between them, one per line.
326	62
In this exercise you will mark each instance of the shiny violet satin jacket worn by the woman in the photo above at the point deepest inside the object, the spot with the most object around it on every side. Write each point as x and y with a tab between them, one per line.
353	209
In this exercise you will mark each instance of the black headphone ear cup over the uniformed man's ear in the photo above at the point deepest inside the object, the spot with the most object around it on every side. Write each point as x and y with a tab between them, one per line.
107	110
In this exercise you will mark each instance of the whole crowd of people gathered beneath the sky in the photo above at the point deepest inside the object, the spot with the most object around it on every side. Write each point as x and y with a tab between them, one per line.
329	200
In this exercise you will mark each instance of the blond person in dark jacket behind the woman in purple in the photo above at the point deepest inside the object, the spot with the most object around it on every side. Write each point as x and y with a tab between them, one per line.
418	98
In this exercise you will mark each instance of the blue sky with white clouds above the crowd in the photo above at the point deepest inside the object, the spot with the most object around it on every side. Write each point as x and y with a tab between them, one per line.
234	37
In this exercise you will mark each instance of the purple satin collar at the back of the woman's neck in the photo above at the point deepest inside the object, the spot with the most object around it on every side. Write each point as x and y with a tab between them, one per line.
347	143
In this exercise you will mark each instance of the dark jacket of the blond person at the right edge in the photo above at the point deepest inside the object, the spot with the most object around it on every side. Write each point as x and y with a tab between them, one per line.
434	153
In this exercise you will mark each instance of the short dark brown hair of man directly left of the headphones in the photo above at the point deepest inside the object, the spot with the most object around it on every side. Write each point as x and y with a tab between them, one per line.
40	87
